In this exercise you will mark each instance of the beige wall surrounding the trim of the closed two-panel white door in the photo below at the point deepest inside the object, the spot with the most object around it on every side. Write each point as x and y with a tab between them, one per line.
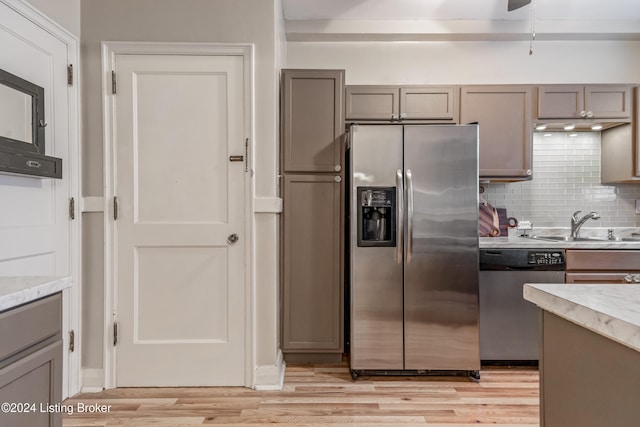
220	21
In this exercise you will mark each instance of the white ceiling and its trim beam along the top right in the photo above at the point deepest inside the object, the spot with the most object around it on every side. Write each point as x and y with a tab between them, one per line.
367	20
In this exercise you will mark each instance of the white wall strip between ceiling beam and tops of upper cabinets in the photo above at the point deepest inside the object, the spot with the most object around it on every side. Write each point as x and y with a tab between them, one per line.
472	62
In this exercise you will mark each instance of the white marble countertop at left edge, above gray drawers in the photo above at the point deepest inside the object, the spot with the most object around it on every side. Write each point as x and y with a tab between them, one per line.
17	290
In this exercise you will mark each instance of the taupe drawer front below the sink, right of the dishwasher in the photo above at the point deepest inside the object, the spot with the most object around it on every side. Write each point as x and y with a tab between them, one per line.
607	260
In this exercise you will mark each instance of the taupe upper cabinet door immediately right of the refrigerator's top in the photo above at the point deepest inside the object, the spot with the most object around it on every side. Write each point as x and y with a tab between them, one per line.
504	117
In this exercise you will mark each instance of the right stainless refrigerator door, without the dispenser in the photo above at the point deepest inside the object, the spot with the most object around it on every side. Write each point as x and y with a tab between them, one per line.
441	279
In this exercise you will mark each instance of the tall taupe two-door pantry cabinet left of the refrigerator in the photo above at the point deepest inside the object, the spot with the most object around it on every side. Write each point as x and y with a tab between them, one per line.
312	169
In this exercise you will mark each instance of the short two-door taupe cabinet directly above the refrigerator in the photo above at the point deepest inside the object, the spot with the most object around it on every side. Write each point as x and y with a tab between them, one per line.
437	104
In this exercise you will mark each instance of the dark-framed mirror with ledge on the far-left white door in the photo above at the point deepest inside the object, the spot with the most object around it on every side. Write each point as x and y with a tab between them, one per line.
22	129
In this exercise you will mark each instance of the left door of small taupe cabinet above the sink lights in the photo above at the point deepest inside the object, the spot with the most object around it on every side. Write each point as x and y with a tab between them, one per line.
560	101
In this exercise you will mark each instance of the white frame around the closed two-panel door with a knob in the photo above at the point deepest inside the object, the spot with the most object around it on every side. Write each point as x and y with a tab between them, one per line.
109	52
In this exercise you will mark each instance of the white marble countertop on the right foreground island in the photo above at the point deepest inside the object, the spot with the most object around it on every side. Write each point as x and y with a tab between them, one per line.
612	311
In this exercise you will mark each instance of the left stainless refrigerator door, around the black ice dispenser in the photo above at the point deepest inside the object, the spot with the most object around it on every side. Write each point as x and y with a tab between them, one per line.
376	274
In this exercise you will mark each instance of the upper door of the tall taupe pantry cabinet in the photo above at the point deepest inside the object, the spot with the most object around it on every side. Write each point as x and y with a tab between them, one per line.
312	120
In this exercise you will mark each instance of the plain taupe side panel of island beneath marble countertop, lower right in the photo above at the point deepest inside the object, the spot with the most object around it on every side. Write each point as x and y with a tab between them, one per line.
586	379
